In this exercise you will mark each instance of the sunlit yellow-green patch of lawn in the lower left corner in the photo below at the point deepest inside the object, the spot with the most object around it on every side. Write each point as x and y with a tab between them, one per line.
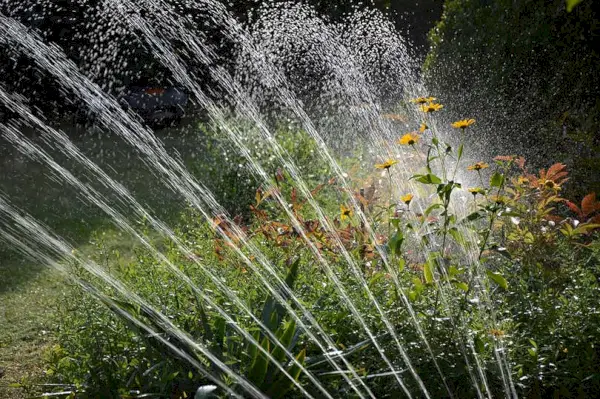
30	297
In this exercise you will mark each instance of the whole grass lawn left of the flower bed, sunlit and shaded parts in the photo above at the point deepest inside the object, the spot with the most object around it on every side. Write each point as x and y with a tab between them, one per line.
30	293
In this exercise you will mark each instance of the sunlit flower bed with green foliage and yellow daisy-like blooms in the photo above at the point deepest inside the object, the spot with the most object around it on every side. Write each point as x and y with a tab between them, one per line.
509	284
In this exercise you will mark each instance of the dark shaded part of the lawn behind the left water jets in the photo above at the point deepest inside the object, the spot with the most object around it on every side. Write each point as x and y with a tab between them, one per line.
31	187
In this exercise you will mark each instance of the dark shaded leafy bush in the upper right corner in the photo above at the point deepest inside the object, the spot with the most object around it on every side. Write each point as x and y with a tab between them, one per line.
529	69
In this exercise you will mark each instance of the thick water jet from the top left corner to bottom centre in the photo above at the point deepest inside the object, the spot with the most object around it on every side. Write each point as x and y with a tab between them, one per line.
92	97
